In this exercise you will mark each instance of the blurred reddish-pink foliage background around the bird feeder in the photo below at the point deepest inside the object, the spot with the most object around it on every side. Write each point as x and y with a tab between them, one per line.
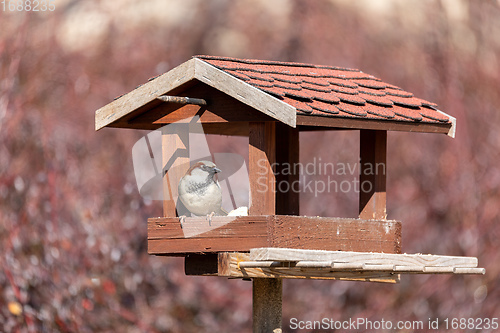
72	223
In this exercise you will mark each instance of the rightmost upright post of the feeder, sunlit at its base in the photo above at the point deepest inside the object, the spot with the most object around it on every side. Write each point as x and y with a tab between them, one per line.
372	192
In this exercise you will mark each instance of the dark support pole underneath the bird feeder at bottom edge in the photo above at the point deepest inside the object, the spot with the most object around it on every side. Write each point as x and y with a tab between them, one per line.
267	305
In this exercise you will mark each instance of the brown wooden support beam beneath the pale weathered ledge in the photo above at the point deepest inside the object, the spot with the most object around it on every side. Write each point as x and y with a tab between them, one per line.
229	267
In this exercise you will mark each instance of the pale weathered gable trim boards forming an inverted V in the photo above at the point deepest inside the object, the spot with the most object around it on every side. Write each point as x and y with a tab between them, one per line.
177	80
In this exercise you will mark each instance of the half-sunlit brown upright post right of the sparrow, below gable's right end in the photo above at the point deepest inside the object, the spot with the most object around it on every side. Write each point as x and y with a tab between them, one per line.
262	157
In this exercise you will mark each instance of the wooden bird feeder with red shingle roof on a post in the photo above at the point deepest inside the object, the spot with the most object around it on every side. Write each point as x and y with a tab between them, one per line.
271	103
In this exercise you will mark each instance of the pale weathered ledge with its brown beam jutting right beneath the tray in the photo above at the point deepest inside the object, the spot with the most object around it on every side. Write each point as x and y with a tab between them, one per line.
339	265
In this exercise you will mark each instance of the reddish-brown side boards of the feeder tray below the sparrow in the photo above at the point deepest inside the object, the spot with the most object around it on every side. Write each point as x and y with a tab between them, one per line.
242	233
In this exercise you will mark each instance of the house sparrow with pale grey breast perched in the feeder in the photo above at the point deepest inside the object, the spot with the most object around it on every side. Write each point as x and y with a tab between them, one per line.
199	192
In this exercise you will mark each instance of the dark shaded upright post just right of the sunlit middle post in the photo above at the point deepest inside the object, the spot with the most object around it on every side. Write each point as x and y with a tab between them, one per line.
287	153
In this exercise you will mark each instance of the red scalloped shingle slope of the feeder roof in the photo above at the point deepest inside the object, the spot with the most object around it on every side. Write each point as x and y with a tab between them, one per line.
330	91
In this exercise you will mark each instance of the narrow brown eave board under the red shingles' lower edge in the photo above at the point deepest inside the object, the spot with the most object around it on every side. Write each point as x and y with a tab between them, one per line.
308	122
